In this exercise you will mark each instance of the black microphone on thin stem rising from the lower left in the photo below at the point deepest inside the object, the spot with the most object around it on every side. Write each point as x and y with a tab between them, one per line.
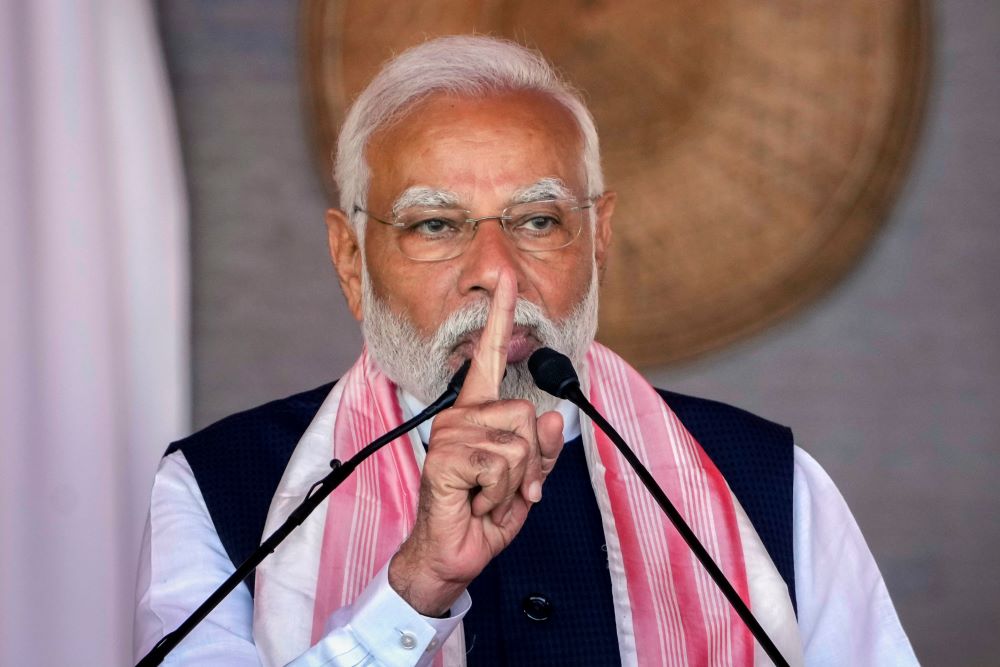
317	493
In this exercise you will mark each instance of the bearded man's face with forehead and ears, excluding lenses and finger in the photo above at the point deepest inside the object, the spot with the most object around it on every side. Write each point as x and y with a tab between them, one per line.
484	154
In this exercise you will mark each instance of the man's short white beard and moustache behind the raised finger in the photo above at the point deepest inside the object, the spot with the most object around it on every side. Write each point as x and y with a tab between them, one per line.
421	365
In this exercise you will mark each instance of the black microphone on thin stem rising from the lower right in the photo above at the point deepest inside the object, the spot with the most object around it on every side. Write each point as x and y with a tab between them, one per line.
553	372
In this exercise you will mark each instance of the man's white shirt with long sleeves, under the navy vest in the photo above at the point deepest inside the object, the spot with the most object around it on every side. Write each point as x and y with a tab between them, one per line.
844	611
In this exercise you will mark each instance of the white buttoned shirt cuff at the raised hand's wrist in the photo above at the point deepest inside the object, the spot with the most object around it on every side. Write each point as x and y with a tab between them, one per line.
394	632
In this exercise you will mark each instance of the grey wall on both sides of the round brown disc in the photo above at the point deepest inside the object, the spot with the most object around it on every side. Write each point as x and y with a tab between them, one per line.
891	381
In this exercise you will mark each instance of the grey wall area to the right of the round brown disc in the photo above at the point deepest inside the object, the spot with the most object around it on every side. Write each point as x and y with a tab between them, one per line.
892	381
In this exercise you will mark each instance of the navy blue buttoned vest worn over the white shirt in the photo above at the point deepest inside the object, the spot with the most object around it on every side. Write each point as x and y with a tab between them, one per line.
546	599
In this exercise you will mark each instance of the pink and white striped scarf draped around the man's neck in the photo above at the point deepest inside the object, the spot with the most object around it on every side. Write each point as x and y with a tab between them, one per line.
668	611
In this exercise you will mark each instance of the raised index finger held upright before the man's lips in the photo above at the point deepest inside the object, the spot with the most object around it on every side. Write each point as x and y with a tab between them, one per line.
489	360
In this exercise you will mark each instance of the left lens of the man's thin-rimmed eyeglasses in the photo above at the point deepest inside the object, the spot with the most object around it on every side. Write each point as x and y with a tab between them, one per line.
432	234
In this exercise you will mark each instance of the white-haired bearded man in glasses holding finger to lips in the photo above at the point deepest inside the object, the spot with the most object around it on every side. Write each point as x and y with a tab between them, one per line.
474	224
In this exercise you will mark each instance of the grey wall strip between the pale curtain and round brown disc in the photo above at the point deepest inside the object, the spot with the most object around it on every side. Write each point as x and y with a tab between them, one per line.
268	316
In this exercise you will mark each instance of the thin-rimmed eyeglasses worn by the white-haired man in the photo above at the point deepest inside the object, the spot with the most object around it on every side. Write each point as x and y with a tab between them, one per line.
437	234
